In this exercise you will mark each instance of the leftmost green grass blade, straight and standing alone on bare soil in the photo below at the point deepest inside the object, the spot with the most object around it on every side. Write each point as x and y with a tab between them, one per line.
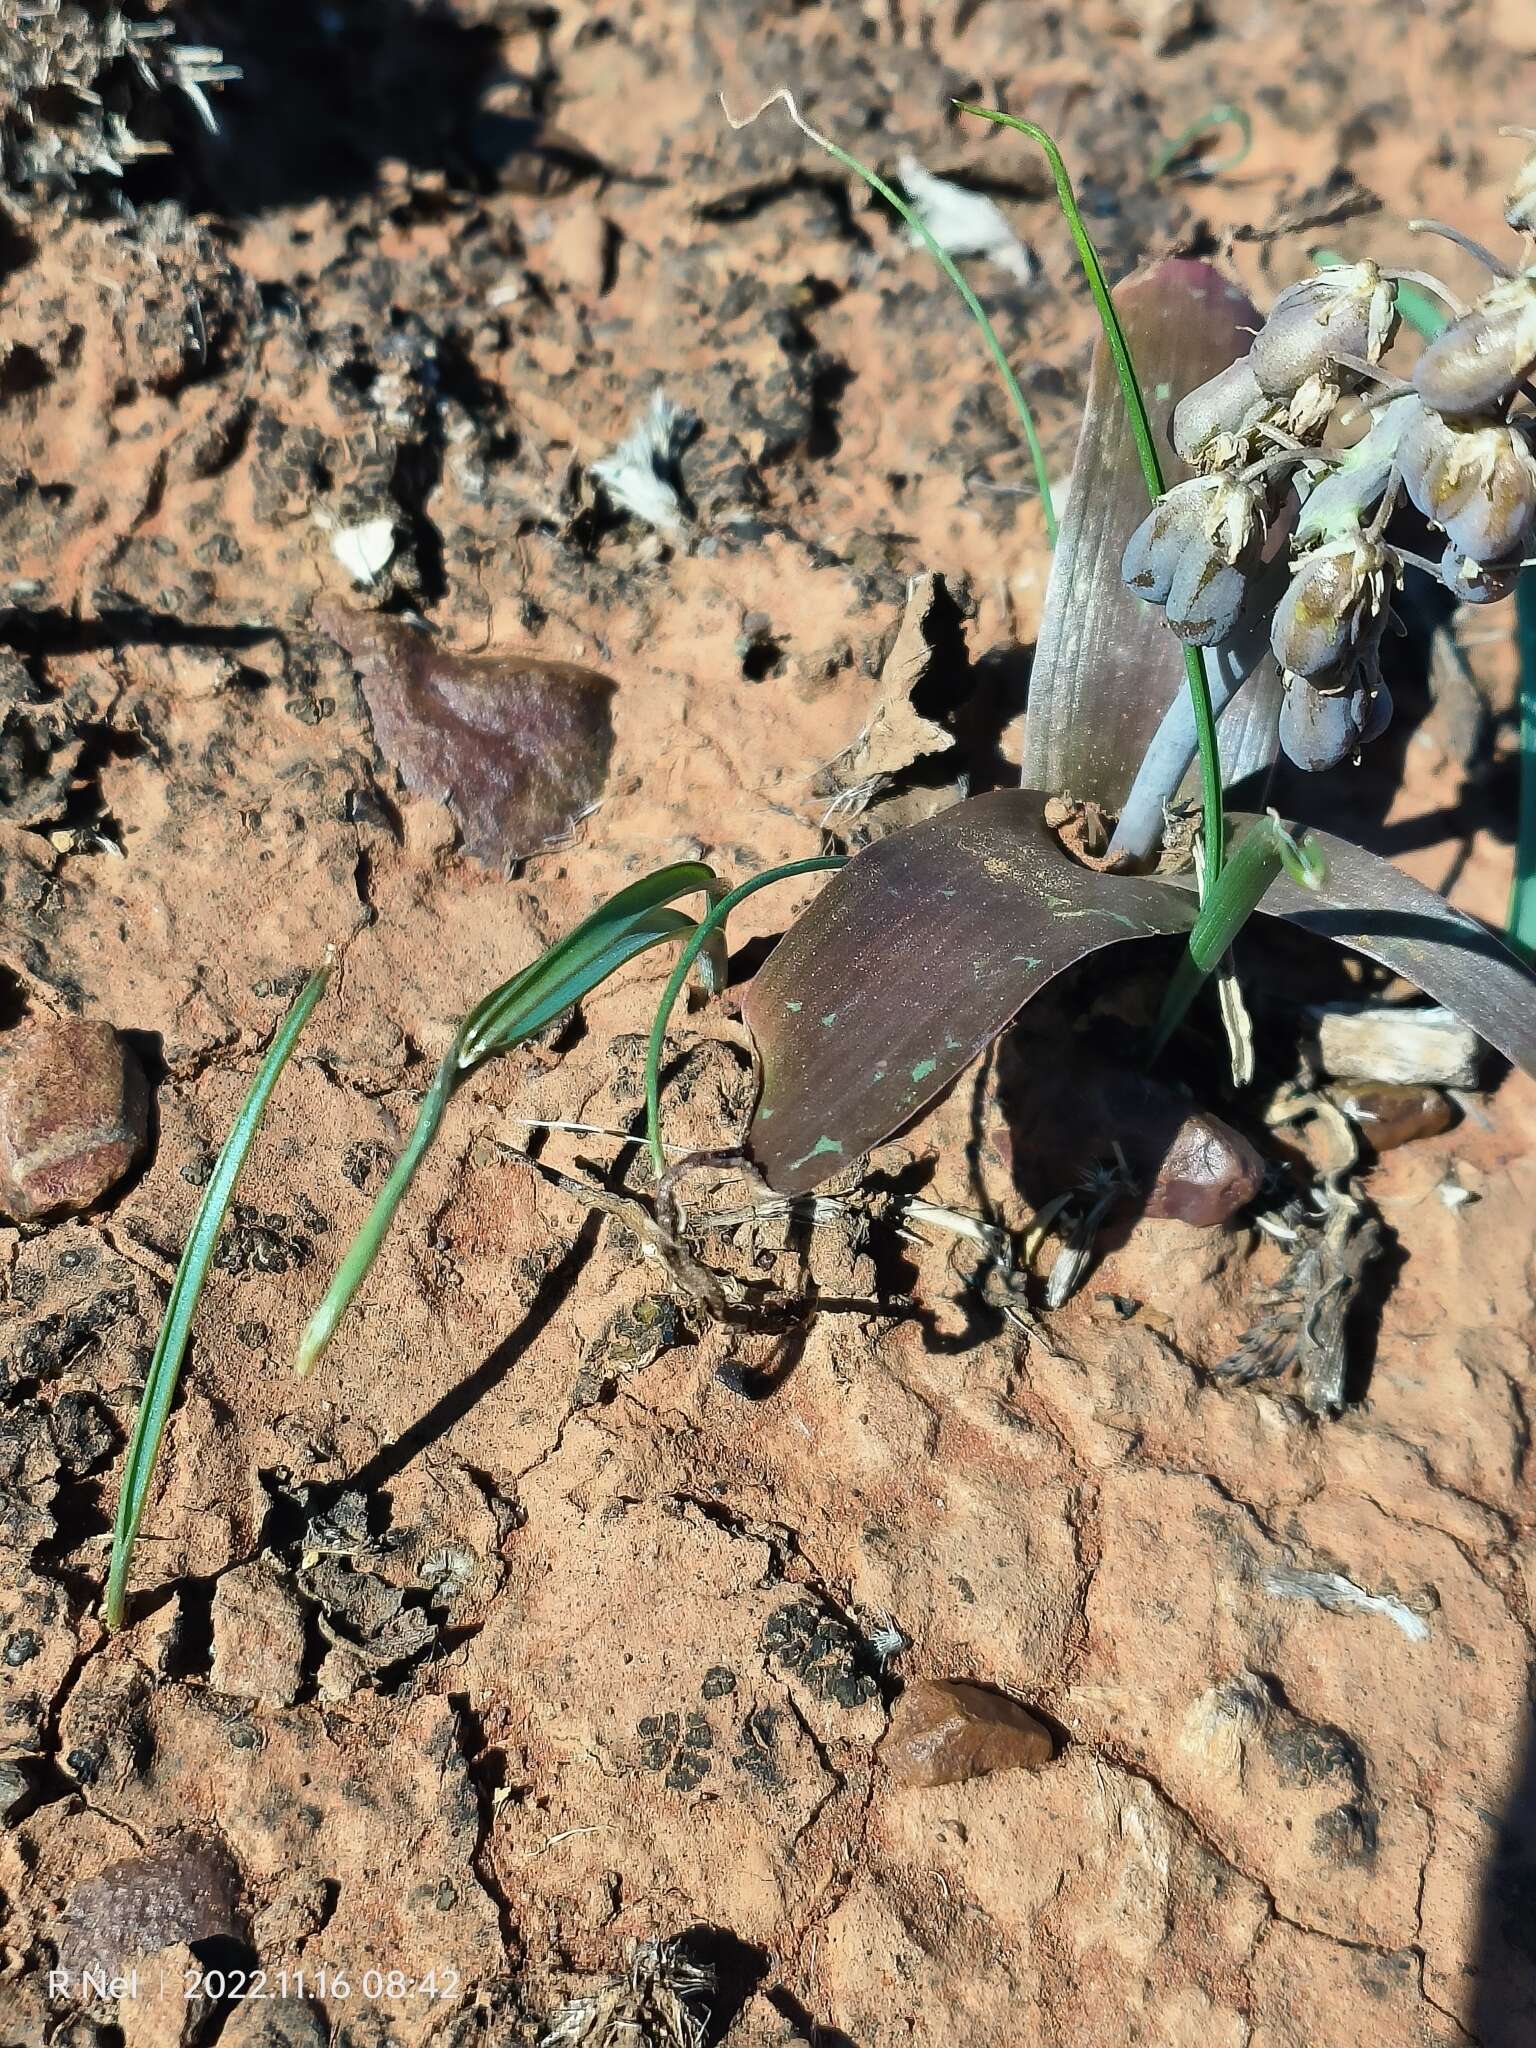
185	1291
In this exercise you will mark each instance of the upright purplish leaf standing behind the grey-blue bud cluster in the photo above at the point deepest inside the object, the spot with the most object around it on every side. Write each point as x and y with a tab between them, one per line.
1107	667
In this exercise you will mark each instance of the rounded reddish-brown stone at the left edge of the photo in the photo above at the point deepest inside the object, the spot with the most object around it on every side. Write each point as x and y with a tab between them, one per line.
73	1117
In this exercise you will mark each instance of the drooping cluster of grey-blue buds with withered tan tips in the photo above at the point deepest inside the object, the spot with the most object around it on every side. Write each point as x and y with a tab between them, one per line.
1459	441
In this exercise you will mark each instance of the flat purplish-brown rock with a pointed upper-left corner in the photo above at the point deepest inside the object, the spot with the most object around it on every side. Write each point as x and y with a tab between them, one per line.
517	746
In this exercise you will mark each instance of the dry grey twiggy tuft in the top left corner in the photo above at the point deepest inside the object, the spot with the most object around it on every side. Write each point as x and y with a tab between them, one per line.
87	89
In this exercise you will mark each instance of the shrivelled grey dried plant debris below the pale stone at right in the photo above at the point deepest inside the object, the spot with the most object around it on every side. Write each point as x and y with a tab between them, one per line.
1334	1238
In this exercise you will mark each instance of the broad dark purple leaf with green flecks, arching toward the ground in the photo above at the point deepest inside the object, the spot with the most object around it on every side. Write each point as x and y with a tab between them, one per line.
910	962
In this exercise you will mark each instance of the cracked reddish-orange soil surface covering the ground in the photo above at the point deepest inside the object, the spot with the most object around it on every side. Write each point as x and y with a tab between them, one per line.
540	1621
